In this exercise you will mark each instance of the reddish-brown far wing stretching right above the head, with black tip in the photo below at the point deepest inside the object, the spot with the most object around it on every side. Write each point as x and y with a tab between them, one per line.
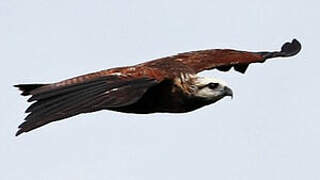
225	59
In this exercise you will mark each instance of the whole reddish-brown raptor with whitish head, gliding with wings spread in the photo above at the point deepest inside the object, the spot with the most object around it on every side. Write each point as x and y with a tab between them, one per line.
165	85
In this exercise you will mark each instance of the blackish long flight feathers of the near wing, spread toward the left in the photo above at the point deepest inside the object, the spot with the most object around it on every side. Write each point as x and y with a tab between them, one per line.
54	103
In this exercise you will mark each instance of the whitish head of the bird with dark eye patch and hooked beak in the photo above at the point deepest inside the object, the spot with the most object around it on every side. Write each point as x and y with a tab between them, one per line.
211	89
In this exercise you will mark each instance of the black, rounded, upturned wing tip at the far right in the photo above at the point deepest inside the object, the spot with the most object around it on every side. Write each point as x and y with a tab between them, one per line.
287	49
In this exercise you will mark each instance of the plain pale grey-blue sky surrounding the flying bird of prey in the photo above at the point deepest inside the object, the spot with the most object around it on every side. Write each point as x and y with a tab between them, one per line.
270	130
